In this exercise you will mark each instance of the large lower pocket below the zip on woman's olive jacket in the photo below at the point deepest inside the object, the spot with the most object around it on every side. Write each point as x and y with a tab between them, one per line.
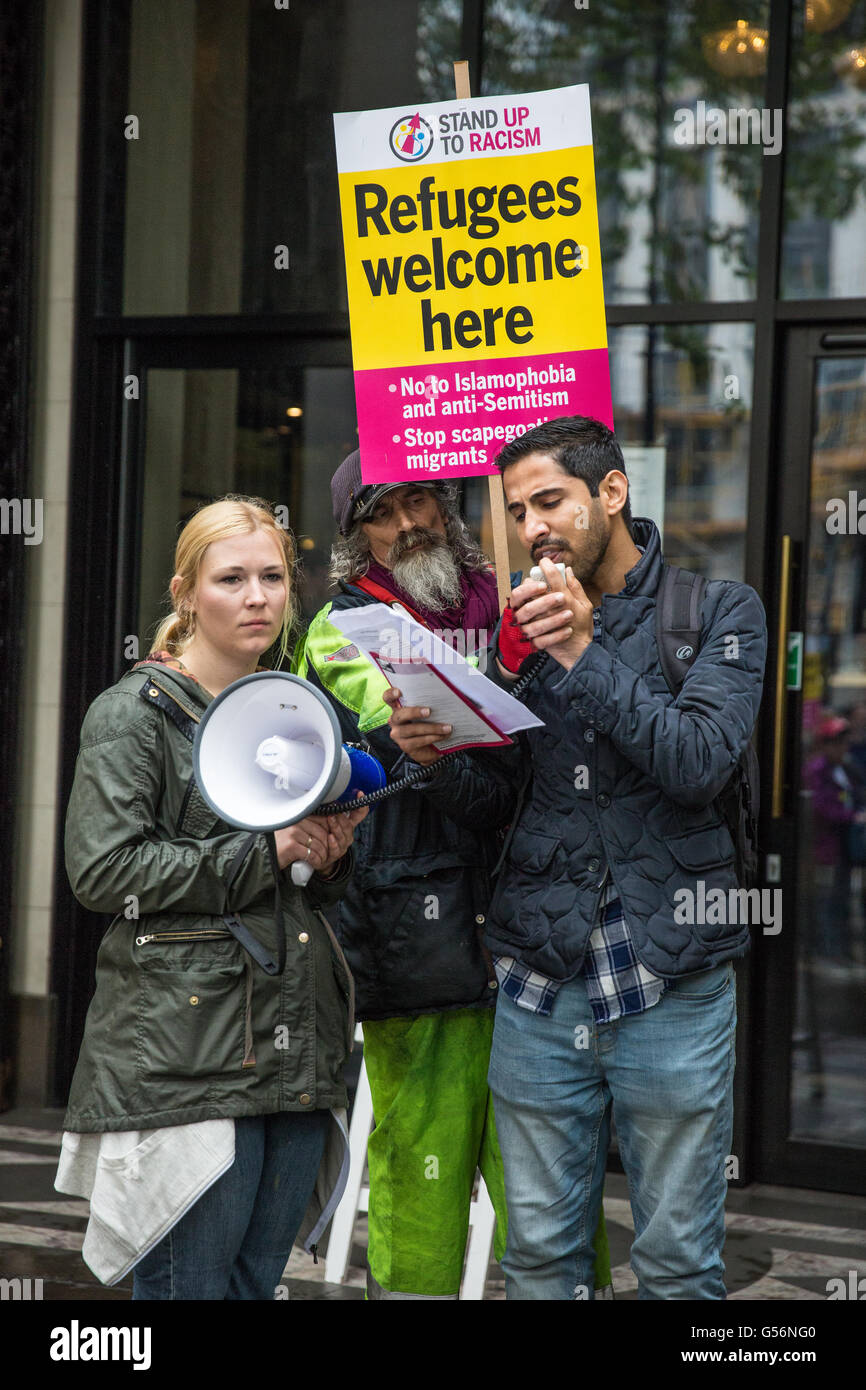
193	1007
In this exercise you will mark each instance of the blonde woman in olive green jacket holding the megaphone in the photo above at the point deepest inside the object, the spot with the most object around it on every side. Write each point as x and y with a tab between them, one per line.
209	1089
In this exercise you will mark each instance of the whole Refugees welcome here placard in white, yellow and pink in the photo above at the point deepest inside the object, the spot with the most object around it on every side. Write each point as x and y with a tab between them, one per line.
475	277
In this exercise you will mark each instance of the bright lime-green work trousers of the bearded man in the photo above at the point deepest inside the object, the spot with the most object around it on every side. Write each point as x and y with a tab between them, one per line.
434	1127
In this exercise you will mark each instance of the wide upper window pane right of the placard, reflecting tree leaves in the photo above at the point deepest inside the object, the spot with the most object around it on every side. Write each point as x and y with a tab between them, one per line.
679	181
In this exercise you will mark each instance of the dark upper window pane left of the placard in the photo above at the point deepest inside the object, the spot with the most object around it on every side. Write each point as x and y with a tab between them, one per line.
231	197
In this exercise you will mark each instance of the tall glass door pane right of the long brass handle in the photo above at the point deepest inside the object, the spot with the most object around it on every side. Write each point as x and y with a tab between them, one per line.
829	1045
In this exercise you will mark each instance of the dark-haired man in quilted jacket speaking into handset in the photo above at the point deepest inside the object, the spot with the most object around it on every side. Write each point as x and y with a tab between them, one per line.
616	918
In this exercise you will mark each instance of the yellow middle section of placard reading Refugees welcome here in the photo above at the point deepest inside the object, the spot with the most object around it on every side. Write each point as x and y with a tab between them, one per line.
493	287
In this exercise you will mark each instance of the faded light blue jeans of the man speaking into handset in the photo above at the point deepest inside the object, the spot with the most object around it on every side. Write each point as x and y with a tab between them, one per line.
668	1075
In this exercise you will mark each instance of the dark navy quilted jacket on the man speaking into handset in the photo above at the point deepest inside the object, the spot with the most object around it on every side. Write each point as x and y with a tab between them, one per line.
647	811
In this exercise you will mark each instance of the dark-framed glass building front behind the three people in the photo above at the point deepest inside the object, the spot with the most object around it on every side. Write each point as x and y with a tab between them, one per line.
179	330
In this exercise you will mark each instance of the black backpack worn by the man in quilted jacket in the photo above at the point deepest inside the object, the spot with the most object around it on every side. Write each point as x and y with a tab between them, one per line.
679	640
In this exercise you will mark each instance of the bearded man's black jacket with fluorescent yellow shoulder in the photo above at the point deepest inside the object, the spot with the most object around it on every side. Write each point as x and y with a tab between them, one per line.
412	919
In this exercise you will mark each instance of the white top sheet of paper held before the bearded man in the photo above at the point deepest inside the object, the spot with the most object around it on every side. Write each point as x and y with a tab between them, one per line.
397	637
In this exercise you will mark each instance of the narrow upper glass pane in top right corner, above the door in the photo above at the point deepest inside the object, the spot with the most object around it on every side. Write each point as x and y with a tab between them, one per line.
825	233
